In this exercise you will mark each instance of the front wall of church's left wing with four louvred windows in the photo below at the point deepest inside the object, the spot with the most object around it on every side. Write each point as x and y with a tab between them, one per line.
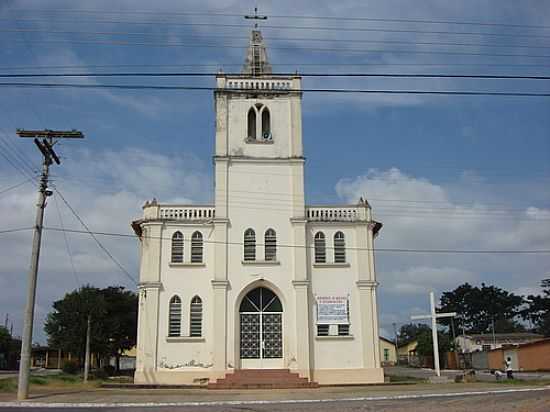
186	297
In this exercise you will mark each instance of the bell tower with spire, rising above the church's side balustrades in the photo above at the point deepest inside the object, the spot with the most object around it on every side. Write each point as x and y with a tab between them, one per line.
258	135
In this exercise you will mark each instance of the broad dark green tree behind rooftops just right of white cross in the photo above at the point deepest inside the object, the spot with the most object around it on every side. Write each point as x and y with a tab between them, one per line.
479	308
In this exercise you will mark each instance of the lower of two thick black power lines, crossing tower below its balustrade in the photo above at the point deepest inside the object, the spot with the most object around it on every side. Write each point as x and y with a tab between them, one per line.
247	91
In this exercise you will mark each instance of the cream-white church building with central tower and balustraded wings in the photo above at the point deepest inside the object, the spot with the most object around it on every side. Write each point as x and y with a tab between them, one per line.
257	280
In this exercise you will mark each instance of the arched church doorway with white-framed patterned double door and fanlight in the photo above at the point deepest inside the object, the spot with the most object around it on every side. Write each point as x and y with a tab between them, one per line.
261	330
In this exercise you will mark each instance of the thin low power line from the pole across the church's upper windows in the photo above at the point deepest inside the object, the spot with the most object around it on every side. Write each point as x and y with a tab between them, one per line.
392	250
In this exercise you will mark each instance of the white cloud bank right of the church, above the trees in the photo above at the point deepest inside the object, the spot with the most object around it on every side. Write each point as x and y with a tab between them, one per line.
420	214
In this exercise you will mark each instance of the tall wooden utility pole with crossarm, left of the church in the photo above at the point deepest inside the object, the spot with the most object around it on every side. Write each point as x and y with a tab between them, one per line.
49	138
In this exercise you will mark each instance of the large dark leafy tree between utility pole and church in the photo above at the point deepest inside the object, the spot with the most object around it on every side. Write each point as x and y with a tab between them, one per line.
113	312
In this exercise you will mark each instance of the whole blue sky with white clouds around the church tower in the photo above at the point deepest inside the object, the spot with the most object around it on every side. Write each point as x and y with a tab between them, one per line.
440	171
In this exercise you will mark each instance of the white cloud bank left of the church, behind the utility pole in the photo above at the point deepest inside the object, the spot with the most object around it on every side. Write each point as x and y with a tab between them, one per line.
107	189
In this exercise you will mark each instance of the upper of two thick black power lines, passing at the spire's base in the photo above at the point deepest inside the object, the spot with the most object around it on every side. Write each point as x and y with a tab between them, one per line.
213	74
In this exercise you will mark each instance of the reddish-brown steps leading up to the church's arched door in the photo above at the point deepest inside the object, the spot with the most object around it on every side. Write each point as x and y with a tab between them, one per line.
262	379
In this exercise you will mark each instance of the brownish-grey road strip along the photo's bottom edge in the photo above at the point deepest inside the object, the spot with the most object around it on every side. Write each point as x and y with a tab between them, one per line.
508	402
